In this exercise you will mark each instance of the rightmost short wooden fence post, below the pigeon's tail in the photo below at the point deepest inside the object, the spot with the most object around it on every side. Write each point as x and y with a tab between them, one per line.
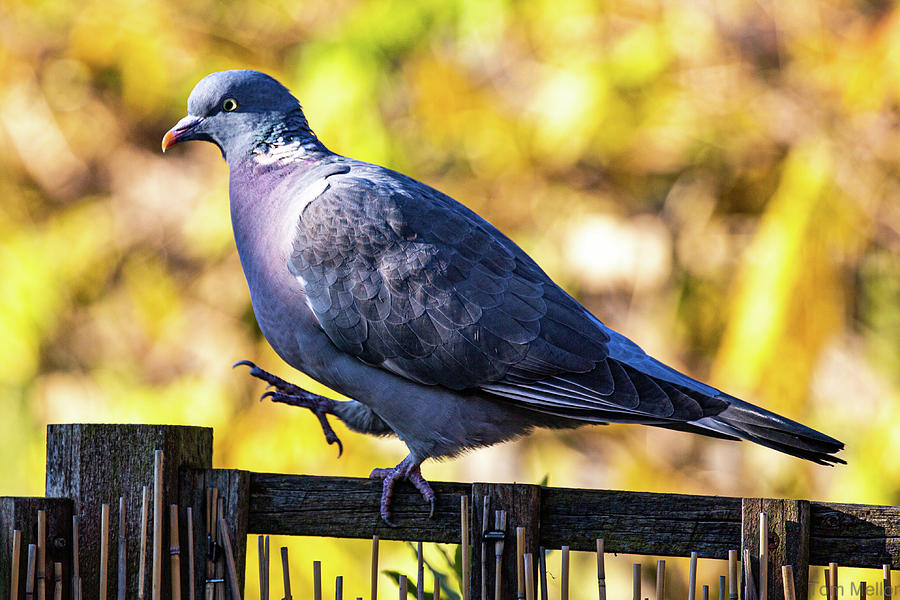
788	541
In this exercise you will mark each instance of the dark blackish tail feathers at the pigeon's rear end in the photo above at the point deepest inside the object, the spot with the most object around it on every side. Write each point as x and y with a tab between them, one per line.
746	421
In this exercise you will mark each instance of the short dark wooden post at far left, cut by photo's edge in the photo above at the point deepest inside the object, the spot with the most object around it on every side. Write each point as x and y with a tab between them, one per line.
21	514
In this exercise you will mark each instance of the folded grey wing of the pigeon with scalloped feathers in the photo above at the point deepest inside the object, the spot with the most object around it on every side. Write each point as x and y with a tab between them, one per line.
408	279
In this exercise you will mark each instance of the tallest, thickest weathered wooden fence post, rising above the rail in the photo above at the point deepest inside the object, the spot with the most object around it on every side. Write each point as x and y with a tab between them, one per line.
97	463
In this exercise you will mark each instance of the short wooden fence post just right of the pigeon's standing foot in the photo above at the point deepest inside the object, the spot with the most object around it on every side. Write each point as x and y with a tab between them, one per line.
522	504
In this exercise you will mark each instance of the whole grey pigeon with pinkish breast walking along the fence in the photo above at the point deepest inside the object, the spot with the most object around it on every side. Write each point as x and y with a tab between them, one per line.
438	328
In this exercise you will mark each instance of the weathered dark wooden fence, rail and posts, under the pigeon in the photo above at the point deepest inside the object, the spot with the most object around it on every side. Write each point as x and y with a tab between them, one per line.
88	465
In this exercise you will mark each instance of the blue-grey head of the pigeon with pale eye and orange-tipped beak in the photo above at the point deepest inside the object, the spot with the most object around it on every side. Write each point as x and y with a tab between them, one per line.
231	109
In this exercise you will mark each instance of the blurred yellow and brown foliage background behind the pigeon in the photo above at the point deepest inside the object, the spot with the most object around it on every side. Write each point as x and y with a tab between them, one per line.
718	180
